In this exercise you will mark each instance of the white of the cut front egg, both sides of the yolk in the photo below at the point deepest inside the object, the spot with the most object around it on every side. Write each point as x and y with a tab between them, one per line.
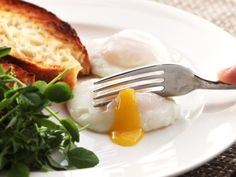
155	111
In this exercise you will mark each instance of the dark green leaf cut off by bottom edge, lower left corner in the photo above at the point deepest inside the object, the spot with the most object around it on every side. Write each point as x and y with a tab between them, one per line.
18	169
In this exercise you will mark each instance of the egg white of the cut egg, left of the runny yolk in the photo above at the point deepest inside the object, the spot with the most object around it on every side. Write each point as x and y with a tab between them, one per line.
82	111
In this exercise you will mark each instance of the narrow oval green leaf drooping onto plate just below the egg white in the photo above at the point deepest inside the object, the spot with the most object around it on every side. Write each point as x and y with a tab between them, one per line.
72	128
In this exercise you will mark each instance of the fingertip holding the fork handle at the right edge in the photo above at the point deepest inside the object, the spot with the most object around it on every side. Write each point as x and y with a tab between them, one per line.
228	75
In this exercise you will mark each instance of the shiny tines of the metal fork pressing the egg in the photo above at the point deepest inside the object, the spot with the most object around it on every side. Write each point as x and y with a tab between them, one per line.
148	78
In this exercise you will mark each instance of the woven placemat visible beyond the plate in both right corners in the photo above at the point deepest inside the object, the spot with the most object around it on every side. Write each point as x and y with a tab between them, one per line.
223	14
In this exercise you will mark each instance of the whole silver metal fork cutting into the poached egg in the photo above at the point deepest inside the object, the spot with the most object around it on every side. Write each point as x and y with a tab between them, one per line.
165	80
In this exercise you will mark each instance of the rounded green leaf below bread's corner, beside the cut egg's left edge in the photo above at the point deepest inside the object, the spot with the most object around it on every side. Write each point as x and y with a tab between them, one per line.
59	92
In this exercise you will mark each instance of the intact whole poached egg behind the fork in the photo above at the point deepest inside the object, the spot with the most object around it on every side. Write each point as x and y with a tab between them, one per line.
124	50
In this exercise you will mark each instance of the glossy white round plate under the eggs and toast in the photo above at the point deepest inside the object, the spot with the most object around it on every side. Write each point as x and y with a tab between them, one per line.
187	144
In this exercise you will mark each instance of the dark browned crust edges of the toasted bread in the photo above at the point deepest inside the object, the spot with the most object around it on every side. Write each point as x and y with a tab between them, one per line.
55	27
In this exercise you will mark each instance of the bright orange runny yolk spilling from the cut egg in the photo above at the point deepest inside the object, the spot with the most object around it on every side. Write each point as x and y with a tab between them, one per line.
126	130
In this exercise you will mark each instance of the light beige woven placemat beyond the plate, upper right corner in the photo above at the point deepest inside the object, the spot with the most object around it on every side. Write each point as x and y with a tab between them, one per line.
220	12
